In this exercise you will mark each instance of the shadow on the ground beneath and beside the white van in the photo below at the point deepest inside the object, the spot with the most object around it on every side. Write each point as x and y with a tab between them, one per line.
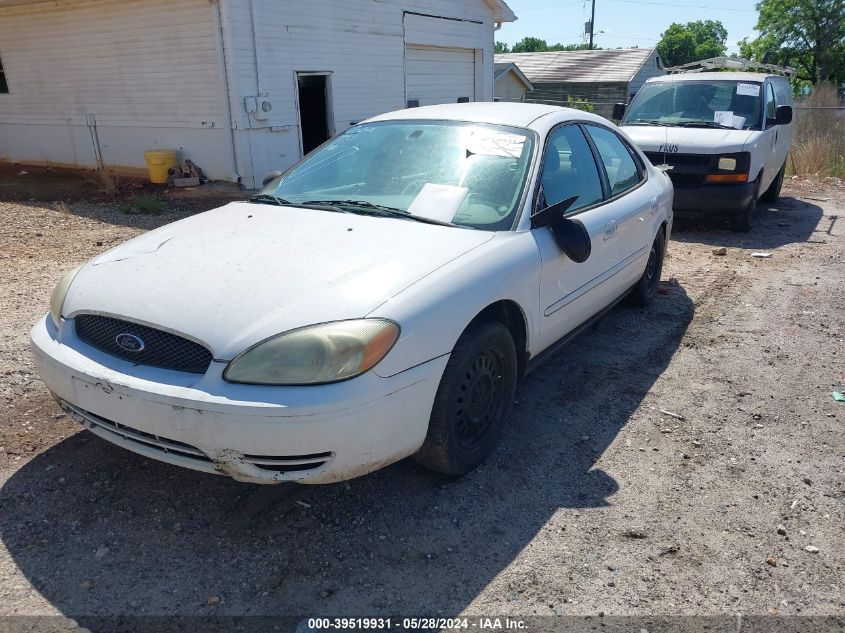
790	221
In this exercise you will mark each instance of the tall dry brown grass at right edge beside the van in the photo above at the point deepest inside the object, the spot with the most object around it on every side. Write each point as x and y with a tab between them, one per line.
818	145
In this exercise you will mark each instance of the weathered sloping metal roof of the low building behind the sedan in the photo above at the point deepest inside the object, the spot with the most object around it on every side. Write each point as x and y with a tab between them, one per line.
587	66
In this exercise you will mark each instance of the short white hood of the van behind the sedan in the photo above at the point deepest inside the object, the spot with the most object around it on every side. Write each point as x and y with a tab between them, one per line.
689	140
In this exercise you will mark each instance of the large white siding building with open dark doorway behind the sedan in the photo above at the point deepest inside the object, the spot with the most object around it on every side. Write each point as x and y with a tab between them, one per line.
241	87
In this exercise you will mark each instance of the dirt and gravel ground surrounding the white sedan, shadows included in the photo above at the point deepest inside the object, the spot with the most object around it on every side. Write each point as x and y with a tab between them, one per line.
596	502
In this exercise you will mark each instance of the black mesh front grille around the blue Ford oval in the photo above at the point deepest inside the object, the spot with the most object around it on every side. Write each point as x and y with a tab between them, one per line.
160	348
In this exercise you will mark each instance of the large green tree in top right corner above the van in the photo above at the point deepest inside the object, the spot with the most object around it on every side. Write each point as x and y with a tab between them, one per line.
808	35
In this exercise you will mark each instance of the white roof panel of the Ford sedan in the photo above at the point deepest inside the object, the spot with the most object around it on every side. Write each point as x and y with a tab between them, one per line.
514	114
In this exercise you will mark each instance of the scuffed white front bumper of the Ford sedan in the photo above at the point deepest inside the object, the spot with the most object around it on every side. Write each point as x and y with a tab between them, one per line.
259	434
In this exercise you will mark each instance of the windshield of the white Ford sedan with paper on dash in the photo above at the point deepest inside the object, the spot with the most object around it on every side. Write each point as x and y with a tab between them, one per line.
467	174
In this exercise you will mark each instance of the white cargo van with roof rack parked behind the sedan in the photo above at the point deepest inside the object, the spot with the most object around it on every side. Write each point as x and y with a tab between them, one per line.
722	135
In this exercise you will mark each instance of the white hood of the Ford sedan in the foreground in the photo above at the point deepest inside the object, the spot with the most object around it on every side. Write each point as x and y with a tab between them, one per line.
238	274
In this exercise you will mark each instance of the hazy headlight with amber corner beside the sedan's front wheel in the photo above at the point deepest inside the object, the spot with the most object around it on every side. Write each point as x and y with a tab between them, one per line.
316	354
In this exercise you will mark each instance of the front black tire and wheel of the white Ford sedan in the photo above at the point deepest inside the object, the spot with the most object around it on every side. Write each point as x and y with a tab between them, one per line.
473	400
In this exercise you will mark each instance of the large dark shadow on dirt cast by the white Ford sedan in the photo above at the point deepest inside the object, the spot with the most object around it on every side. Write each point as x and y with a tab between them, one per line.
99	530
